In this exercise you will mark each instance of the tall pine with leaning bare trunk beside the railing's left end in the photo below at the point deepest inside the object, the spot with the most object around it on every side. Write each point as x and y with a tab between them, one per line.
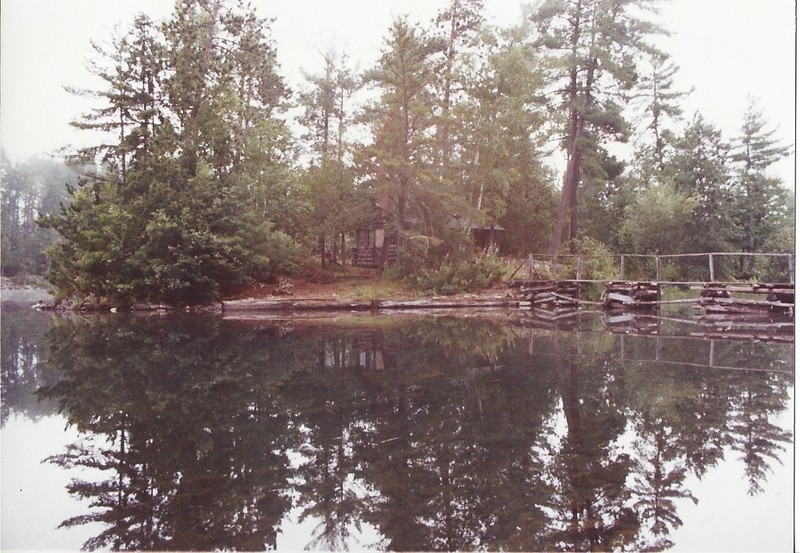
594	44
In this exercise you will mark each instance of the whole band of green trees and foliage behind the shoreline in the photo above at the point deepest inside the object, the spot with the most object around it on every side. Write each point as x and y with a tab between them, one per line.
200	186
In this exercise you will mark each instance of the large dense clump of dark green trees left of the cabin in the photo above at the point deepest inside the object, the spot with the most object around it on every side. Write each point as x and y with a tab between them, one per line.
180	210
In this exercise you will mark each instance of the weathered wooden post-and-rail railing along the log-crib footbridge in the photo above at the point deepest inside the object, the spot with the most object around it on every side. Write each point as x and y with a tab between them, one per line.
657	259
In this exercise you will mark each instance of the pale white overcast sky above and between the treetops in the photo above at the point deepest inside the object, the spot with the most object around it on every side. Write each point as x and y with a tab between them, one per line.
726	49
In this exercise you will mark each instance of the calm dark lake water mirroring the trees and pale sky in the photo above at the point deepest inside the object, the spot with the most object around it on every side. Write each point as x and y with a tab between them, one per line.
493	431
